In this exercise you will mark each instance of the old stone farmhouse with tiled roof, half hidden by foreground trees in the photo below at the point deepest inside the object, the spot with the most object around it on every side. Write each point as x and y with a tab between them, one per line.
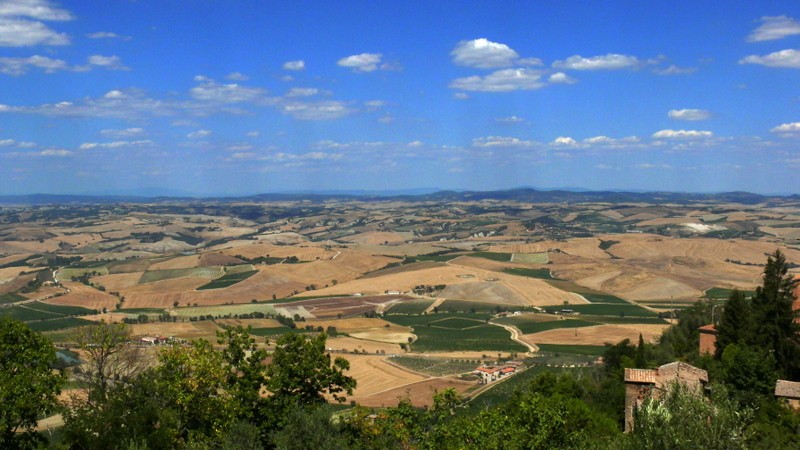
641	384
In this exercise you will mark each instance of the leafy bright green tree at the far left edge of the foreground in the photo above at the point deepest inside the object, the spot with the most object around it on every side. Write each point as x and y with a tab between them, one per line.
28	385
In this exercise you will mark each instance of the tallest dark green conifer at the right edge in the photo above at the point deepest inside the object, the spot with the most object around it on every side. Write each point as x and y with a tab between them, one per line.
772	312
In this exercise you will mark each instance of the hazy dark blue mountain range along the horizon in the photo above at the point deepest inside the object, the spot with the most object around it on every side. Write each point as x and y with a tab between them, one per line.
522	195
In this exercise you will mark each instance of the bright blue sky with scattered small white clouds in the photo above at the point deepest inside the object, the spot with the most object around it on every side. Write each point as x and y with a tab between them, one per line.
238	97
